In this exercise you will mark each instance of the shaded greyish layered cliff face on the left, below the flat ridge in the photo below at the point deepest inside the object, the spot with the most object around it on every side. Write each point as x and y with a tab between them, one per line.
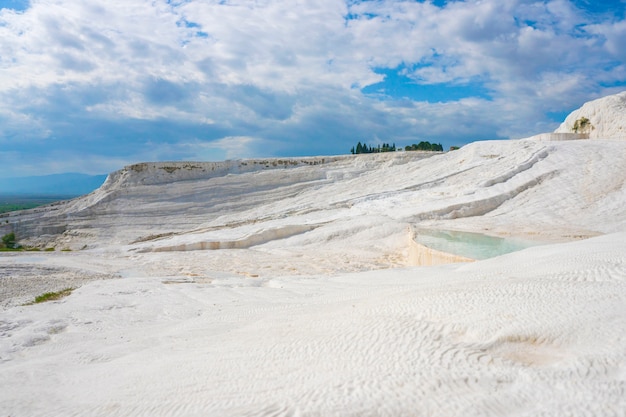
169	197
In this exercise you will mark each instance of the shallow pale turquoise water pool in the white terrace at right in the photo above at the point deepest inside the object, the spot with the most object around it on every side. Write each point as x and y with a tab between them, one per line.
470	245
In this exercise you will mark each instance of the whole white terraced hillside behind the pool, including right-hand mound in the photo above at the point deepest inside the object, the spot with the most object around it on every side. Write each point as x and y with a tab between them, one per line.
482	184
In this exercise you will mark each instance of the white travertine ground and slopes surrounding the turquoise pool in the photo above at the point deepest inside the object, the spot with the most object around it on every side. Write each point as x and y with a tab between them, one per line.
297	288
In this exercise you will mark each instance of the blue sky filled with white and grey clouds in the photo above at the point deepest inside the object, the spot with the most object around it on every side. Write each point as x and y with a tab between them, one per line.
90	86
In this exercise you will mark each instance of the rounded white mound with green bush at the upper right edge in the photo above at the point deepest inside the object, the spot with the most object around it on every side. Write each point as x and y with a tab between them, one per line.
606	118
